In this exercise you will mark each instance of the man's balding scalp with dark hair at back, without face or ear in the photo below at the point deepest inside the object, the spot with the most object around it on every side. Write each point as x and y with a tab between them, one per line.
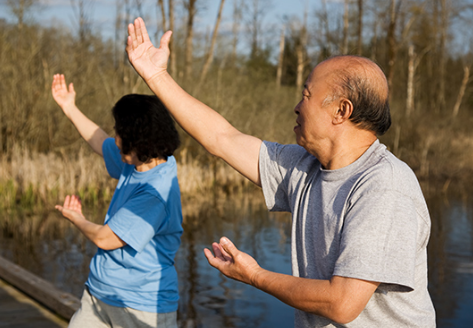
363	83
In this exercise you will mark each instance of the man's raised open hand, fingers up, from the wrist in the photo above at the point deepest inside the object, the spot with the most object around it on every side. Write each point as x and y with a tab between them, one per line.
148	61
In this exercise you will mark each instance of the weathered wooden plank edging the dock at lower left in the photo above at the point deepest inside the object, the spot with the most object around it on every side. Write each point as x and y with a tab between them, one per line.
62	303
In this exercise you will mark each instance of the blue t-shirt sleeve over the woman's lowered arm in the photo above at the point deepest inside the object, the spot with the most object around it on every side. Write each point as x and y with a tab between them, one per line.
138	220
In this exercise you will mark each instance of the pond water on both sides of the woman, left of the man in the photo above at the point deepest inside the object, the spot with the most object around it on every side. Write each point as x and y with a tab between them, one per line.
47	245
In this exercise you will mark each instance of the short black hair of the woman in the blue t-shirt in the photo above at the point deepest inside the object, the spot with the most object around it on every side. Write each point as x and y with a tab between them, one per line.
145	127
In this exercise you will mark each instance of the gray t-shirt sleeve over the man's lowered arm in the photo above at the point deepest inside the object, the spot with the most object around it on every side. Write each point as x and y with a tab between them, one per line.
379	239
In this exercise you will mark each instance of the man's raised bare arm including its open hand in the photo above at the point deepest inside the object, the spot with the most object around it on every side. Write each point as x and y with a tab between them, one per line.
205	125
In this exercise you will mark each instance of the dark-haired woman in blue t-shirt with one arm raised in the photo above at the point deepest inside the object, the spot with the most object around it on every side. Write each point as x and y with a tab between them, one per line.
132	280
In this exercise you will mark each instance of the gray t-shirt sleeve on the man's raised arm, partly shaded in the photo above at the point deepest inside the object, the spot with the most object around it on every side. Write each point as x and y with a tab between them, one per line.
276	164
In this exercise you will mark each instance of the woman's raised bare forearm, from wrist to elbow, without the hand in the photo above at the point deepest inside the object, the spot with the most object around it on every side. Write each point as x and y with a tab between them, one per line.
89	131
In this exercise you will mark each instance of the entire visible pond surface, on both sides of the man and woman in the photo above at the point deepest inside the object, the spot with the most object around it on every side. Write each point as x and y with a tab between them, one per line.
50	247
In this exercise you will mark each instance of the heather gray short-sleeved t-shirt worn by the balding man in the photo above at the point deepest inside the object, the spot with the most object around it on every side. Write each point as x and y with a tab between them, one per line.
367	220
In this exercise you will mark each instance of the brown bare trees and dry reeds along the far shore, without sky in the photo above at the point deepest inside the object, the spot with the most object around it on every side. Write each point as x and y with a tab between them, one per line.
42	157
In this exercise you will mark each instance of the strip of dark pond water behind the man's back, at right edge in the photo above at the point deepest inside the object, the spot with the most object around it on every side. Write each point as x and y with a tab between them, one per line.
451	260
